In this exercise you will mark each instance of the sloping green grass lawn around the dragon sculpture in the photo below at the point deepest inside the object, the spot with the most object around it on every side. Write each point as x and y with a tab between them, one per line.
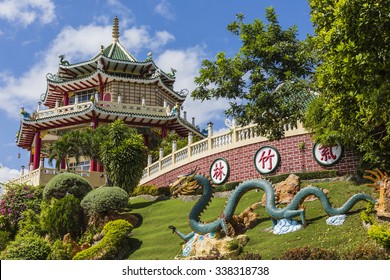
154	241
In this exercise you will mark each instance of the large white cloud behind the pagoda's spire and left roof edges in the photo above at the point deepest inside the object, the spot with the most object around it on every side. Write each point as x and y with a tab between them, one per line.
78	44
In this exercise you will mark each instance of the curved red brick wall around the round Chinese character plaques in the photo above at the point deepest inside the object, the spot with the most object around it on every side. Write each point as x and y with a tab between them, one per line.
241	161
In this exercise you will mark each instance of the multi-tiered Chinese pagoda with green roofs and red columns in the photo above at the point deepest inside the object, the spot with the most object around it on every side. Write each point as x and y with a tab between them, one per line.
112	85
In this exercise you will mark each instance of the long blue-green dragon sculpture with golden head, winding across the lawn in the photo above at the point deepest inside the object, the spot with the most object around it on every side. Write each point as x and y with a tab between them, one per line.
188	184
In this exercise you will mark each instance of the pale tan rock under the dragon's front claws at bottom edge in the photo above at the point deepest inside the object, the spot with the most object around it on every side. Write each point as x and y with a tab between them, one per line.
206	246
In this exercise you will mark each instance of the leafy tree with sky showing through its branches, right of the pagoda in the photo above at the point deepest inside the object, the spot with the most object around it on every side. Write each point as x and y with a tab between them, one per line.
252	80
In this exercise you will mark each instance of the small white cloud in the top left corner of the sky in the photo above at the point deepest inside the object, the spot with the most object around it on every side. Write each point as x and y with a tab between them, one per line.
25	12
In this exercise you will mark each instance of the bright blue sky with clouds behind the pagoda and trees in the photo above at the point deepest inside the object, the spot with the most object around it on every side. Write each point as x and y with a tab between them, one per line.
33	33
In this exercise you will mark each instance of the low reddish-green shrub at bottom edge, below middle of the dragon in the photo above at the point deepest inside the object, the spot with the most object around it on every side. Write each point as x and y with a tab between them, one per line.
308	253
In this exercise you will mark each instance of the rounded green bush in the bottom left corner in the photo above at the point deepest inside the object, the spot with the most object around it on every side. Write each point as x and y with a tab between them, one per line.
28	247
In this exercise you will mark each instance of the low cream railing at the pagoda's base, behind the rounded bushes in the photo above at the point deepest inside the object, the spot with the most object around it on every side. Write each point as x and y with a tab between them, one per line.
43	175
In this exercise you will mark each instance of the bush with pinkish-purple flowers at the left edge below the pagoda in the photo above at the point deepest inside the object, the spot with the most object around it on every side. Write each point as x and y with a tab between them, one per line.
16	199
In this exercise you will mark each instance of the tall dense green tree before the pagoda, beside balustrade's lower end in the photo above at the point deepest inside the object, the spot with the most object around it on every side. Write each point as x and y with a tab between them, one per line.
124	156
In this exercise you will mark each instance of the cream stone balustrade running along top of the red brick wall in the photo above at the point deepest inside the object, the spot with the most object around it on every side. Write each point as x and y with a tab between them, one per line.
234	138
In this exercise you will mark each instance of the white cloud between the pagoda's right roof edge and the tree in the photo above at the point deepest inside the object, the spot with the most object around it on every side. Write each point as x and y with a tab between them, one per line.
187	63
